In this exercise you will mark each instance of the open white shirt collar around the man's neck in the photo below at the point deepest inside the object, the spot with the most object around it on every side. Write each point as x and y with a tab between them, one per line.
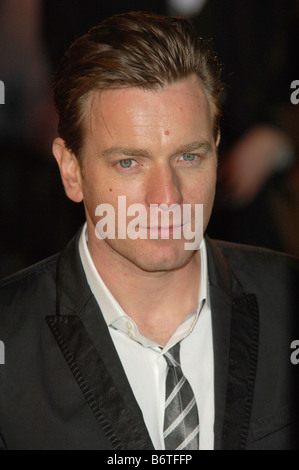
115	316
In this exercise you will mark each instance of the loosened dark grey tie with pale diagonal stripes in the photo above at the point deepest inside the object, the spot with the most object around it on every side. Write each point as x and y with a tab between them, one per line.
181	423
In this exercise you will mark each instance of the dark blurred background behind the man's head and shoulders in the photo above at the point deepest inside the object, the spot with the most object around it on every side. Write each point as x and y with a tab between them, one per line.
258	191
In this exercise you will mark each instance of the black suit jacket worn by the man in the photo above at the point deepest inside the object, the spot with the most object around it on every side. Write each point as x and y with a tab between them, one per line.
63	386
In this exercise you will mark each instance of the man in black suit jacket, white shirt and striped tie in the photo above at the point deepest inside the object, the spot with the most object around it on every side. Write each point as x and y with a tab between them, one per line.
136	342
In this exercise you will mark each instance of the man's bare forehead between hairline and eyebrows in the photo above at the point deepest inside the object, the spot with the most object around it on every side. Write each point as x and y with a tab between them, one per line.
135	113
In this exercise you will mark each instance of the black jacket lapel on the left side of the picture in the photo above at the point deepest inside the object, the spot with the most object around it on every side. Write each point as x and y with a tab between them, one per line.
86	345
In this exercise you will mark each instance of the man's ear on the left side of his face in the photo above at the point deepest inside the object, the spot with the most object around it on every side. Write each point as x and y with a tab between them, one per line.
69	170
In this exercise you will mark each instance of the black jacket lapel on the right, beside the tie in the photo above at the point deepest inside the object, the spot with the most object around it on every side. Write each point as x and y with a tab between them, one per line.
235	338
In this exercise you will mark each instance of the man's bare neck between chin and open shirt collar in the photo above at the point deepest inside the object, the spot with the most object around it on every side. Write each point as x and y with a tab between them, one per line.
157	301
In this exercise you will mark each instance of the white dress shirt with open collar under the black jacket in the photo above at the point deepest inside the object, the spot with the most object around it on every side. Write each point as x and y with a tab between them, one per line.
143	360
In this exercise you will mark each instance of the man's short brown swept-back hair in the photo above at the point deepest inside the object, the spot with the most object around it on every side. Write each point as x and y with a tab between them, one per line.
135	49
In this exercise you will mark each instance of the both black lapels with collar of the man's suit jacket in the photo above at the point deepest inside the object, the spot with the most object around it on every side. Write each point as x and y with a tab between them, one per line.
85	342
